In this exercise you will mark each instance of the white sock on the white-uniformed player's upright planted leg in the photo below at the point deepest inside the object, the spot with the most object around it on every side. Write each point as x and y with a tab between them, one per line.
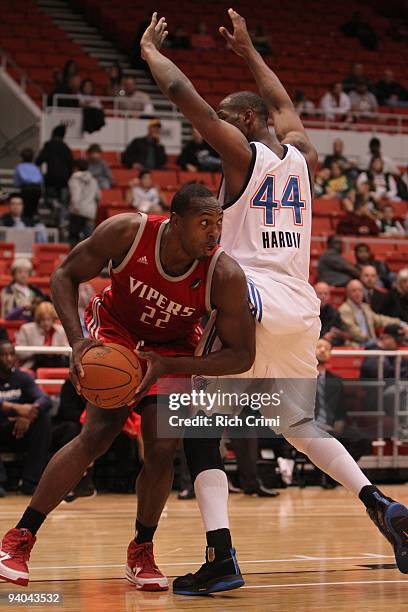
211	489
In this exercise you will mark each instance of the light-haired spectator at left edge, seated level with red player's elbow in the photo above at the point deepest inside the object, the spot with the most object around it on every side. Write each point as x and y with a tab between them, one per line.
18	296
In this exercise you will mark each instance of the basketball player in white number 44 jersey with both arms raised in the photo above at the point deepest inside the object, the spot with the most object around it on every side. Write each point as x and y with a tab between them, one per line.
267	201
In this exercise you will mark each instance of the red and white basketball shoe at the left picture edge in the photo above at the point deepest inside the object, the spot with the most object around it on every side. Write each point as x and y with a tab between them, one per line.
14	554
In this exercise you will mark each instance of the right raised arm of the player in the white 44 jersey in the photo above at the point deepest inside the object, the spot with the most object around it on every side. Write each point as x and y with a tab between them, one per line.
288	126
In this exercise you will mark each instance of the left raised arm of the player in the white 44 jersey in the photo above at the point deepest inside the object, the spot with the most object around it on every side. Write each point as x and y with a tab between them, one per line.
226	139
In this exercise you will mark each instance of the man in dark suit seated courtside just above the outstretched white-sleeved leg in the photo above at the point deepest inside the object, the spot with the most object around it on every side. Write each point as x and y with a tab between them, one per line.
331	413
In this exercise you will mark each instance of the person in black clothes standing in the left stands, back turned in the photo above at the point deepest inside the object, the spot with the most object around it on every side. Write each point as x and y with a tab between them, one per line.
58	157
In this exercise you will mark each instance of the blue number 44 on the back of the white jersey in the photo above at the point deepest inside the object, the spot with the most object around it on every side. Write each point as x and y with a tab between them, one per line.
265	199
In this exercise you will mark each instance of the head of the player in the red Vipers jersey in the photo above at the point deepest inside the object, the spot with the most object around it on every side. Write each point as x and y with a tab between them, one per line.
200	229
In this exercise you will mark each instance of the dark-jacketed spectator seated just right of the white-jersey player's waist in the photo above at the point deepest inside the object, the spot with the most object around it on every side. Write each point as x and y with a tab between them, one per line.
334	269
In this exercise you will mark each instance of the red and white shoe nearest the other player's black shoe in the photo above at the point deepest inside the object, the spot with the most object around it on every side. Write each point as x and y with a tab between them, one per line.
141	568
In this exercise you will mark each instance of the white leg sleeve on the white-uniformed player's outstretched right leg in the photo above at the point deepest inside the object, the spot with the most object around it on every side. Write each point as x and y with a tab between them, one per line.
332	458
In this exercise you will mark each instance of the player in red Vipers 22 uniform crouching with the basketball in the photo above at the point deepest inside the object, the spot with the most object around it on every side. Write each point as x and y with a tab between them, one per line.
165	276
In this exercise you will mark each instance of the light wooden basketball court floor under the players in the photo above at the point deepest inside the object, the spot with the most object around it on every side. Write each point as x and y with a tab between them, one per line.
307	550
